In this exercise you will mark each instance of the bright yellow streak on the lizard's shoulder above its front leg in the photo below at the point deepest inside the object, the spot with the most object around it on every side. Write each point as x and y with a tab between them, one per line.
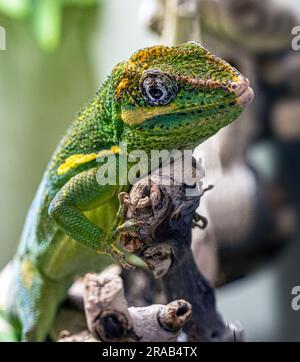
80	159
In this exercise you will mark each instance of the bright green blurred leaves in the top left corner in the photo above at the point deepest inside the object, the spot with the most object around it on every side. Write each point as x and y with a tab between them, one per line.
44	17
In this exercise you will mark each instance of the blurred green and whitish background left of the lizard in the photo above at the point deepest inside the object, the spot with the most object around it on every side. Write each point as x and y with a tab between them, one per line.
42	90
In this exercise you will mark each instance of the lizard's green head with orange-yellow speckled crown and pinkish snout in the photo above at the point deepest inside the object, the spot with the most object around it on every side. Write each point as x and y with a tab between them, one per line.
177	97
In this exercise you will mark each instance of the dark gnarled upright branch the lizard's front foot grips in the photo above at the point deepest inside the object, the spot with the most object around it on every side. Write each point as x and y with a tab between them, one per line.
158	229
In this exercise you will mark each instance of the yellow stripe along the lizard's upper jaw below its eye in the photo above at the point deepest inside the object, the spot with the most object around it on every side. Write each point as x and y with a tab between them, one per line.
141	115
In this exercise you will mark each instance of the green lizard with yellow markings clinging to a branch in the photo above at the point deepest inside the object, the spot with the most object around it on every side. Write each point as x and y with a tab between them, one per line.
161	98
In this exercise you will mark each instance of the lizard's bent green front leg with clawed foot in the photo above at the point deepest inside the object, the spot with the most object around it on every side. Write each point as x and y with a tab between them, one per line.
82	193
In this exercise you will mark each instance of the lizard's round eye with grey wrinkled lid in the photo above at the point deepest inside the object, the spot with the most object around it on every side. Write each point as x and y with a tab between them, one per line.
158	88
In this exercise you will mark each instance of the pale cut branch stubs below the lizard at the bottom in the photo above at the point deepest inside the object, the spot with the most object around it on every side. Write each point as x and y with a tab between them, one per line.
109	319
